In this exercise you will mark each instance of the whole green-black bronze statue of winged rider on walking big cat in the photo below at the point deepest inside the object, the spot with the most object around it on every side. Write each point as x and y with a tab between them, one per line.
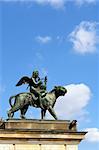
36	97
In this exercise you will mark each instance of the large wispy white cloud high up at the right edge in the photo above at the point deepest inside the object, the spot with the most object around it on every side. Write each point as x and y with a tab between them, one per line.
85	37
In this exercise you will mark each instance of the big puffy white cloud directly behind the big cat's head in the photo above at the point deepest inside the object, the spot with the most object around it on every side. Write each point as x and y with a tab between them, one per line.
73	104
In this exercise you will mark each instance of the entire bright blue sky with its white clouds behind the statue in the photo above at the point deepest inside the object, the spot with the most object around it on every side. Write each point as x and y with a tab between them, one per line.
60	38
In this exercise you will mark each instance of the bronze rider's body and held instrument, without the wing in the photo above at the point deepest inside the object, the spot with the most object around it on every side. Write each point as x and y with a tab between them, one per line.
37	87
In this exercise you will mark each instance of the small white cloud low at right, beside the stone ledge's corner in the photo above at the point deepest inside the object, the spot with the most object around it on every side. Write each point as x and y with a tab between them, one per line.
92	135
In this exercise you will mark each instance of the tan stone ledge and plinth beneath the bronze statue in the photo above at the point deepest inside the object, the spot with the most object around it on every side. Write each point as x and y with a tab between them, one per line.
39	135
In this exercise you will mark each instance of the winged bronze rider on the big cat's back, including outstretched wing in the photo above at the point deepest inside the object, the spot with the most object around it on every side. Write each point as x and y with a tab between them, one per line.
37	87
